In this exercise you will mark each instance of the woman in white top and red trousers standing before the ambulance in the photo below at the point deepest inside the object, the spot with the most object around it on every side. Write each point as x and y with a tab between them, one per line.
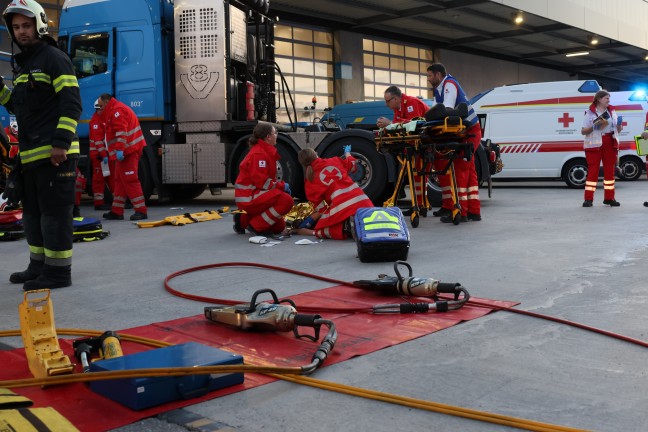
601	144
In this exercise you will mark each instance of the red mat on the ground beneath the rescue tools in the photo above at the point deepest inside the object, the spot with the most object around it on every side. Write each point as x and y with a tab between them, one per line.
359	334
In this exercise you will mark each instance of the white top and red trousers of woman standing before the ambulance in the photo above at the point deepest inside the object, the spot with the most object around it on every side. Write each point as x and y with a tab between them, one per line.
600	146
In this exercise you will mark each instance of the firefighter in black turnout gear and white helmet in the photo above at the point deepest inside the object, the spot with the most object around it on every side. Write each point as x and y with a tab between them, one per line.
47	104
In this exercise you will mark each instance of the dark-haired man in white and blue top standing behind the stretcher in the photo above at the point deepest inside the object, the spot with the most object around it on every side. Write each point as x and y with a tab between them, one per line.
448	92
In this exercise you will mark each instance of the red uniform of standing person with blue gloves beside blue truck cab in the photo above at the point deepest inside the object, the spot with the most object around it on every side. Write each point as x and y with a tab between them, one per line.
123	133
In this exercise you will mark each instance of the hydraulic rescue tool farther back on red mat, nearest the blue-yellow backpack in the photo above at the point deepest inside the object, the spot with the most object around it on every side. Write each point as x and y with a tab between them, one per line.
417	287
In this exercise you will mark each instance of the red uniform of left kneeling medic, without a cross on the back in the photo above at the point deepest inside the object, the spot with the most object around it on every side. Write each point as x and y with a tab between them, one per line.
259	193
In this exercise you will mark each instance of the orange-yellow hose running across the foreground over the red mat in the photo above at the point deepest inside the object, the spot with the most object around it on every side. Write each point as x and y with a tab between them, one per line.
284	373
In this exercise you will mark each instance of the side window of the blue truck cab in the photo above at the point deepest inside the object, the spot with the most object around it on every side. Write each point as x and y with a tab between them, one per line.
89	54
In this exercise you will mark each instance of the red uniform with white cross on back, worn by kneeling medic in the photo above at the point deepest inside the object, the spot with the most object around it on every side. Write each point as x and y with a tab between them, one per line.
335	195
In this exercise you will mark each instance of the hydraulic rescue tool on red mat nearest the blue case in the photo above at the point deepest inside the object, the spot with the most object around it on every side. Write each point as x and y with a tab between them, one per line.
280	315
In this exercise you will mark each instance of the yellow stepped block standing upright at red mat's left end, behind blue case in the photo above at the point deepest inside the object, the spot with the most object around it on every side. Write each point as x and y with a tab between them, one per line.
44	355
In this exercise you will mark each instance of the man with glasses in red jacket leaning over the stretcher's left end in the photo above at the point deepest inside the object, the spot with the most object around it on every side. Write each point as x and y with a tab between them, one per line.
407	108
